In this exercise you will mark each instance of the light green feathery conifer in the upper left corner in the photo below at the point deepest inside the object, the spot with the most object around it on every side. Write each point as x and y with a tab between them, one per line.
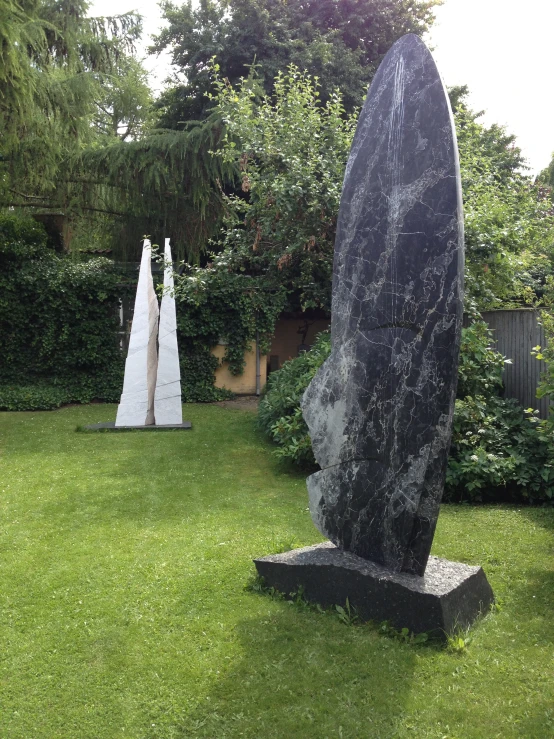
58	66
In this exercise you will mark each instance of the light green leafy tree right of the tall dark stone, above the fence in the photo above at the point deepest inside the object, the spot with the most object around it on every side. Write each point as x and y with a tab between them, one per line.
508	218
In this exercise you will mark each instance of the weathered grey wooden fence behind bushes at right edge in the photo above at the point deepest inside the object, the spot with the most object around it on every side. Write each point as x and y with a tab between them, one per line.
515	333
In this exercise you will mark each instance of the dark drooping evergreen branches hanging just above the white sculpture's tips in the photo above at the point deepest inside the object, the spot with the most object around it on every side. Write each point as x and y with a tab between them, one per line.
165	183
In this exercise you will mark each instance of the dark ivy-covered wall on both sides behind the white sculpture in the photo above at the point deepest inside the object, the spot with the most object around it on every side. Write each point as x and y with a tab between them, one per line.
59	323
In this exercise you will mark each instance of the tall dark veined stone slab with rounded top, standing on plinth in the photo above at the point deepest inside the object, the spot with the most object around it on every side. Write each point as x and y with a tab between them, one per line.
380	409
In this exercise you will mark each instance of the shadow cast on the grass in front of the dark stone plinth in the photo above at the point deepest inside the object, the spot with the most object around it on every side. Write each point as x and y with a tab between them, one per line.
297	678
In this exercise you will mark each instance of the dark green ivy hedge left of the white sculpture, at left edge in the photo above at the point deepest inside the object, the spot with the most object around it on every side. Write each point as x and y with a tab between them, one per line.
58	323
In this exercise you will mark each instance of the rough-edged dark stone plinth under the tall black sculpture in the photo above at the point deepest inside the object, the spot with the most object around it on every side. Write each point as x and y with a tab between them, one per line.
449	596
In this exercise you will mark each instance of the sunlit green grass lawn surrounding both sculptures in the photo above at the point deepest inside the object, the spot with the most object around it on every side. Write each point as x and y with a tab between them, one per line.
123	611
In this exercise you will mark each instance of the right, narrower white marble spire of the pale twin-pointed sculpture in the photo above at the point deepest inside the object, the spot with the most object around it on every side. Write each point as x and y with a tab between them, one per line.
167	401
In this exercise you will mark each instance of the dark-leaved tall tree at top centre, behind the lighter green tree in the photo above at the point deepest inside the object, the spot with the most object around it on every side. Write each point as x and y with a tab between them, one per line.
339	41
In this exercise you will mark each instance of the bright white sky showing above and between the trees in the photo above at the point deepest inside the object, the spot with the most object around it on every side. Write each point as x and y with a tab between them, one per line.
501	49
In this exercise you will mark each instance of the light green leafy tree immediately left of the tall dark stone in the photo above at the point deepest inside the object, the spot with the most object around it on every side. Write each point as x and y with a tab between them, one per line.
291	150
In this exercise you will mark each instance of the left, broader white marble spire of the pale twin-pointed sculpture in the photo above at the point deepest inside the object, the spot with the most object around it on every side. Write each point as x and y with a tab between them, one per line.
136	407
